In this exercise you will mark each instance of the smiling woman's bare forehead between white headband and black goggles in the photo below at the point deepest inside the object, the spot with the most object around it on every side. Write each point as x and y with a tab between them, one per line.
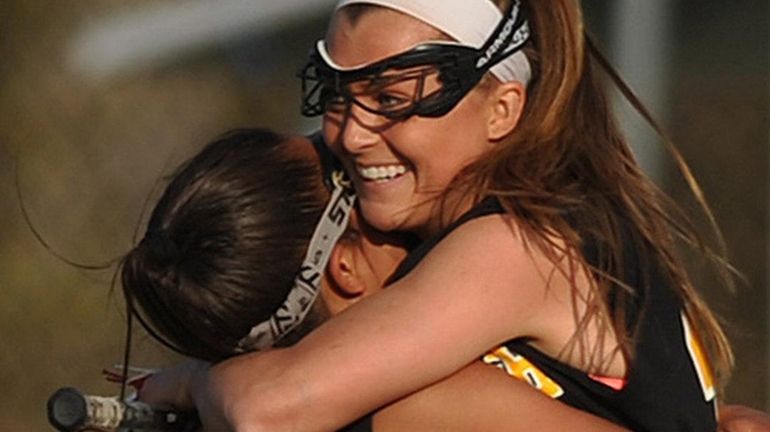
377	34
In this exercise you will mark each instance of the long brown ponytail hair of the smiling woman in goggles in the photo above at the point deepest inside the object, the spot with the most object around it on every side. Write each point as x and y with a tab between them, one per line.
567	170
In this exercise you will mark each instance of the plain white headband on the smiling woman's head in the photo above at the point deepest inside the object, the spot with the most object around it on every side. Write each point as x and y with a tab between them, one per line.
469	22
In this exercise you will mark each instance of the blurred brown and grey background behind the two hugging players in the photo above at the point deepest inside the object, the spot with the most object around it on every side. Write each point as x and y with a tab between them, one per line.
100	99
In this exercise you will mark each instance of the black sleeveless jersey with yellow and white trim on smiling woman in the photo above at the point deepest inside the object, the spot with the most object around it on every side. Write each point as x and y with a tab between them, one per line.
668	385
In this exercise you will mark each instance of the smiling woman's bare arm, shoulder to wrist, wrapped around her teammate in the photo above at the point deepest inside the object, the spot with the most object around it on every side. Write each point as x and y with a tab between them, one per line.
461	300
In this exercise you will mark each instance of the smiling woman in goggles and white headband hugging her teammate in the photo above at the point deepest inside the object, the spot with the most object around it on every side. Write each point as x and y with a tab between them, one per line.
482	127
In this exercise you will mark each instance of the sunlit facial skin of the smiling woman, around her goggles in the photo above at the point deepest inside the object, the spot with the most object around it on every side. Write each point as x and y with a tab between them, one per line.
406	202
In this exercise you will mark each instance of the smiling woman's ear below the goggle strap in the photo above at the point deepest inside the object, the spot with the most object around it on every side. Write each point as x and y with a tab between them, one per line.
507	105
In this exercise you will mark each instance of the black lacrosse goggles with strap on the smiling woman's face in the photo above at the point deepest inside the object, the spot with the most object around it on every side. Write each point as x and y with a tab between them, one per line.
458	67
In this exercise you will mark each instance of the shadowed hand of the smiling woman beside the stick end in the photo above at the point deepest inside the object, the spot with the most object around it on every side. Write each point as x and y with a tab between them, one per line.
172	385
